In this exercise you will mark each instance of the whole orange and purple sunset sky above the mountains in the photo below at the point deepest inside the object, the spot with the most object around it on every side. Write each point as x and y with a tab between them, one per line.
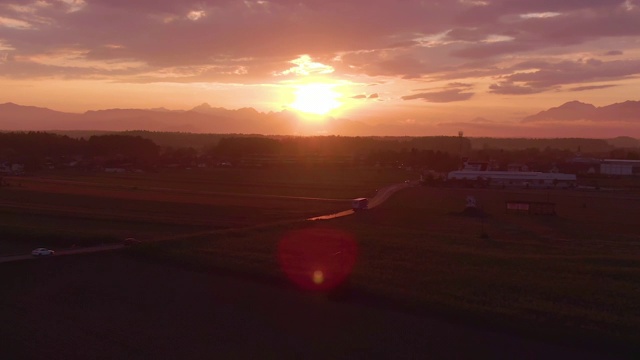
429	65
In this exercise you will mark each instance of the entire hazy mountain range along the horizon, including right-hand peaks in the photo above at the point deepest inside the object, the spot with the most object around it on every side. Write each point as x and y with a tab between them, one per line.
207	119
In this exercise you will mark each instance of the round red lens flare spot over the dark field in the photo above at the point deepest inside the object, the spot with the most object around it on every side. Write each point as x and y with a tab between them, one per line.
317	259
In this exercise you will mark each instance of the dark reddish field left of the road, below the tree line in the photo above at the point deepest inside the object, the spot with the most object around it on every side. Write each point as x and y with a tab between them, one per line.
60	209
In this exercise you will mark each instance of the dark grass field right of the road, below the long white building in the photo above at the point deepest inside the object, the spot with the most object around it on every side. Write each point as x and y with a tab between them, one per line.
571	276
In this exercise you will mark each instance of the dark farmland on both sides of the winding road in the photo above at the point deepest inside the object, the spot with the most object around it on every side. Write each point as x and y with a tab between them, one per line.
573	277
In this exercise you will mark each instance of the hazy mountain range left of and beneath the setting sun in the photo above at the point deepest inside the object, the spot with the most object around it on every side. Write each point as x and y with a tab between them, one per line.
201	119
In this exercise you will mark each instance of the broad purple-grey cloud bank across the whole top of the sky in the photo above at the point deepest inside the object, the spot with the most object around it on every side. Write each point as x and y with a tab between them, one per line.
247	41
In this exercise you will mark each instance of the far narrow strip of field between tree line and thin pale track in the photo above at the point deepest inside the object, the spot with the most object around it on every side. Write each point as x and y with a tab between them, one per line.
324	182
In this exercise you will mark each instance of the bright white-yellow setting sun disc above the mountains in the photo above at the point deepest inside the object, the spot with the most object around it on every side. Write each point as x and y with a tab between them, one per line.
316	99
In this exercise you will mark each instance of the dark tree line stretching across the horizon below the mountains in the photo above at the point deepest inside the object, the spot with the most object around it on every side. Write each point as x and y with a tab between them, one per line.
440	153
